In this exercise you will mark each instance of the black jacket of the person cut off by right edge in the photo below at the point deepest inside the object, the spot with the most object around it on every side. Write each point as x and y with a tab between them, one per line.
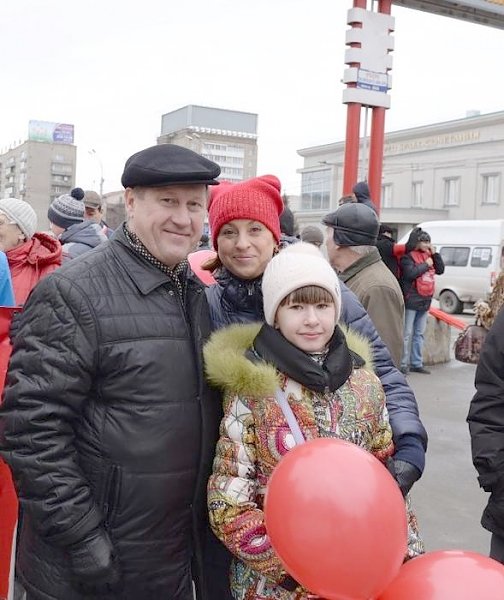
486	425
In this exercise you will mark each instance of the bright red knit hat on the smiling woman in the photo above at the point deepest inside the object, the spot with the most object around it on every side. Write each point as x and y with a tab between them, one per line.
257	199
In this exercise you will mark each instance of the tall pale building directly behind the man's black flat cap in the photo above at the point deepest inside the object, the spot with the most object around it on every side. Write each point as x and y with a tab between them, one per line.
227	137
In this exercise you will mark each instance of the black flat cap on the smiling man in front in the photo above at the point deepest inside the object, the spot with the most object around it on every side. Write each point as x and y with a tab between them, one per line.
168	164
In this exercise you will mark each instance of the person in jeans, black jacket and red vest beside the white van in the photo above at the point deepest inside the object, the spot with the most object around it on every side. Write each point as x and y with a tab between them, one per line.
419	266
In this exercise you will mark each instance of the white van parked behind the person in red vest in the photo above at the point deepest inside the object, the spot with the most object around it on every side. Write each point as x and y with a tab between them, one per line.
472	252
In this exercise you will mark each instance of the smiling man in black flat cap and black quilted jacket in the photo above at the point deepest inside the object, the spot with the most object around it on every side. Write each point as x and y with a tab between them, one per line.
107	423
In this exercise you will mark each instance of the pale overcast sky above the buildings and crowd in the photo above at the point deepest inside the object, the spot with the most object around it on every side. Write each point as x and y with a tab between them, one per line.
112	68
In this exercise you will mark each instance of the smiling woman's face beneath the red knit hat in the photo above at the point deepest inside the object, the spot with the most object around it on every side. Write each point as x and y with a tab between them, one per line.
245	247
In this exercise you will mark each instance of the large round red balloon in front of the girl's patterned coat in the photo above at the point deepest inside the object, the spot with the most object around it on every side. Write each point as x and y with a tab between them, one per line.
337	519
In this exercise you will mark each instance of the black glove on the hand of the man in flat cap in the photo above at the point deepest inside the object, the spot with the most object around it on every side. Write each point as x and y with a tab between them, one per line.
93	564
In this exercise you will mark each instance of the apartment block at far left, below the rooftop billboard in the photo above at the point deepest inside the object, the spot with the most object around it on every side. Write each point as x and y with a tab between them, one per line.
38	172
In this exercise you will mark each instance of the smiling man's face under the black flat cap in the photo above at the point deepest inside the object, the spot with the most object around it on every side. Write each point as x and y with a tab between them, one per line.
168	220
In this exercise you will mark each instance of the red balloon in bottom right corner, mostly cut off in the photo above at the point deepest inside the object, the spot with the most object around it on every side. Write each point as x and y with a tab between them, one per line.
448	575
